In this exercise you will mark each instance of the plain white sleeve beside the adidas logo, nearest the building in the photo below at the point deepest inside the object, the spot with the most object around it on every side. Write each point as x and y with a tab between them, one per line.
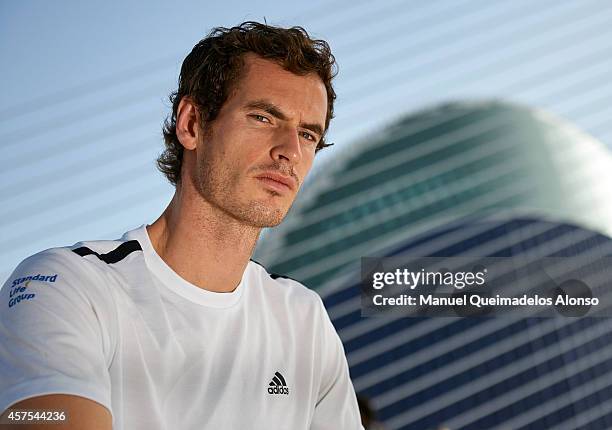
336	406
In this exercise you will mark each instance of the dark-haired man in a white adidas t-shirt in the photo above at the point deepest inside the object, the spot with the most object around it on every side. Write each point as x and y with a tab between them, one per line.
172	326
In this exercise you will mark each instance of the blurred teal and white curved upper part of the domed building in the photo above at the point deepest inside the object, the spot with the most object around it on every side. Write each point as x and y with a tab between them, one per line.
438	166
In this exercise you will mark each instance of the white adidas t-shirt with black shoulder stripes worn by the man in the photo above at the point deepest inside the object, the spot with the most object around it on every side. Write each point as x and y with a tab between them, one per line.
110	321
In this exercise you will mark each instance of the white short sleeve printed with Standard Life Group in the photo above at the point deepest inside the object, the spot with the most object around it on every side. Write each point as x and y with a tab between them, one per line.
53	339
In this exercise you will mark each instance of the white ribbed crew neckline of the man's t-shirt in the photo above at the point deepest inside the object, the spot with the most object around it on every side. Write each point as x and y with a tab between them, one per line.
175	282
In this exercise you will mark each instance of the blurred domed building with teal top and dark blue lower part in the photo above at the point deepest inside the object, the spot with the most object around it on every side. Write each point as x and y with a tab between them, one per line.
482	179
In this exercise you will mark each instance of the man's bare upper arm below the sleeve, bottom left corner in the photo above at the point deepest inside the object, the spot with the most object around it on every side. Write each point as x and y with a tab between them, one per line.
81	413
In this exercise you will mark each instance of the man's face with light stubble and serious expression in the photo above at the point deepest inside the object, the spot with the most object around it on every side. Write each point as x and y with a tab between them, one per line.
255	155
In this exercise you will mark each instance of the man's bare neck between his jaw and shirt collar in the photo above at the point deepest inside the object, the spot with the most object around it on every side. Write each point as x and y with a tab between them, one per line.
203	244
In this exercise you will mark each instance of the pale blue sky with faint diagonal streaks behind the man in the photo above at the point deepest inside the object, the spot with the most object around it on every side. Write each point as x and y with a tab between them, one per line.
84	89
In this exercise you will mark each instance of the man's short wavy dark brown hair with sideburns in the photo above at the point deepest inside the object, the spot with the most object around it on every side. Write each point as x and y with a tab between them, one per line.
214	66
